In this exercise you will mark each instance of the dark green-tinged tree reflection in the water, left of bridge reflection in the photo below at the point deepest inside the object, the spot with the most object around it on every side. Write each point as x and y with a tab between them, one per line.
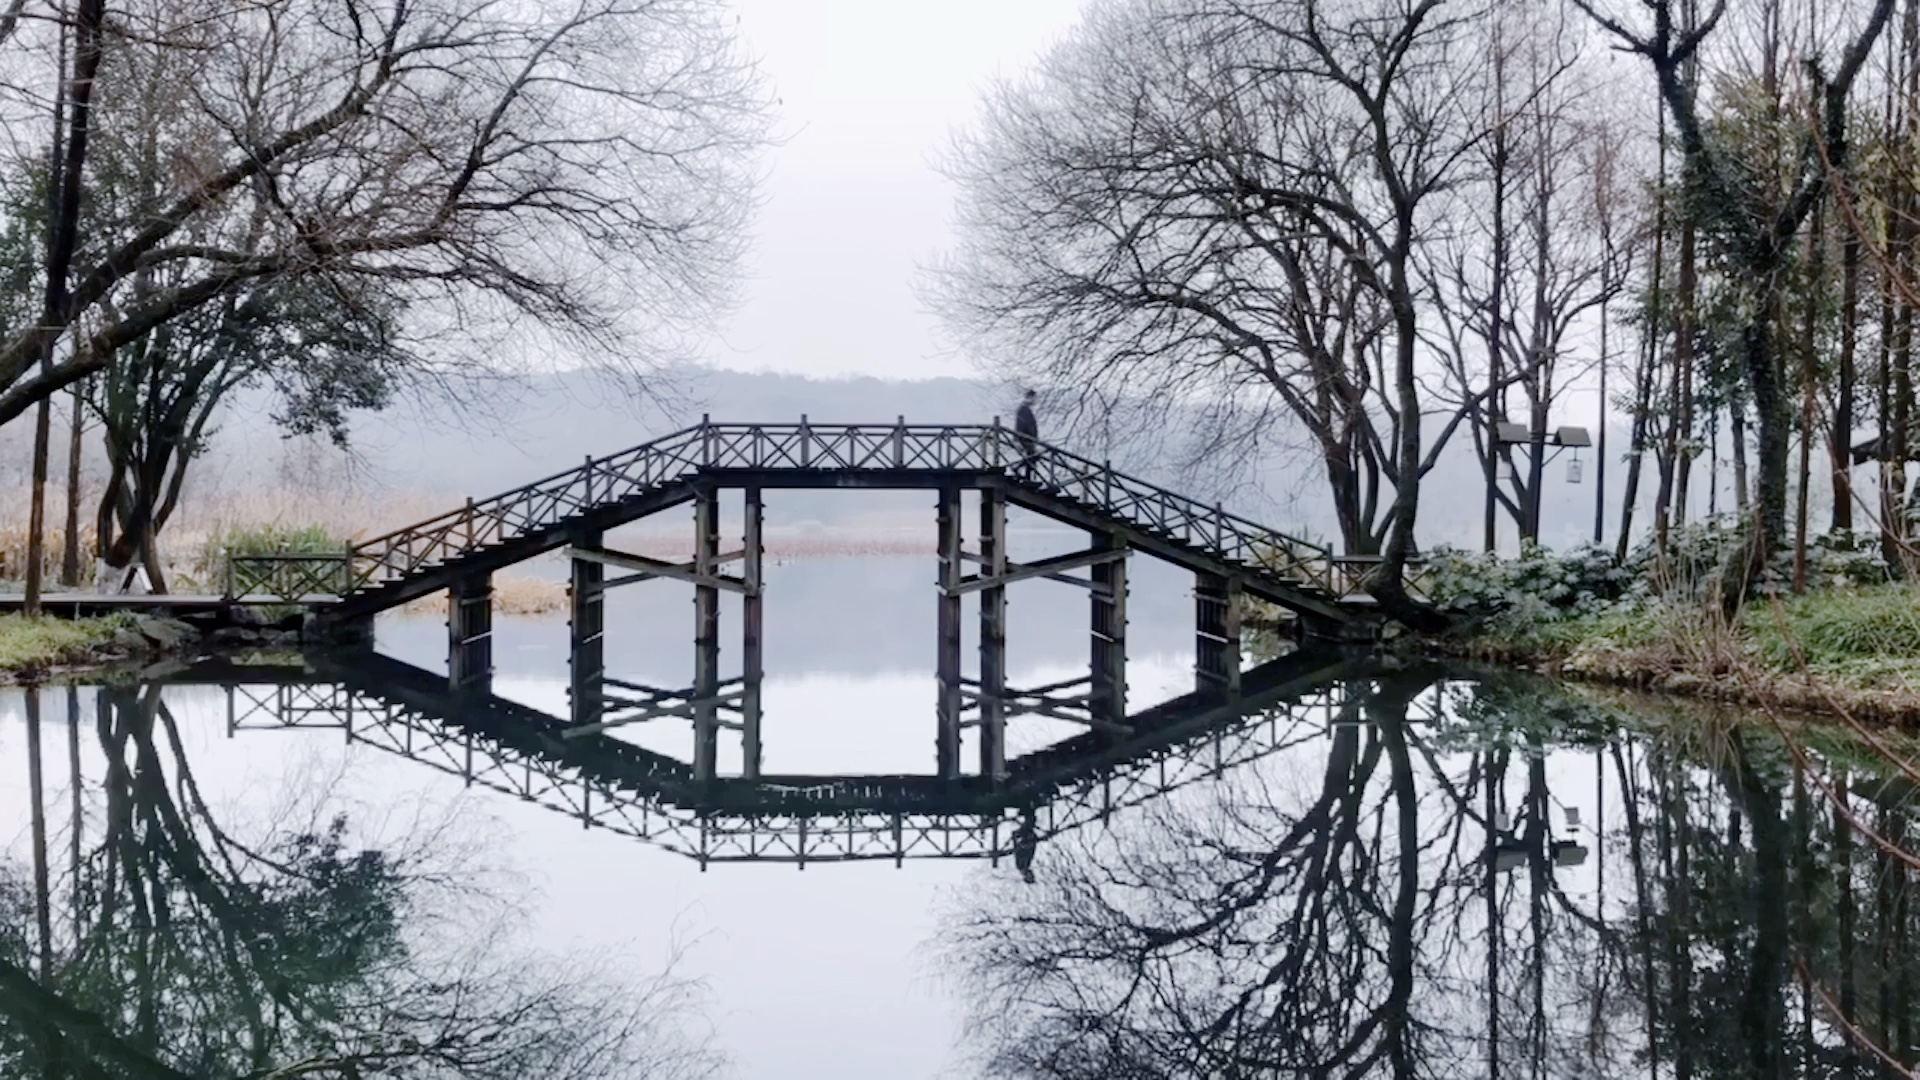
180	945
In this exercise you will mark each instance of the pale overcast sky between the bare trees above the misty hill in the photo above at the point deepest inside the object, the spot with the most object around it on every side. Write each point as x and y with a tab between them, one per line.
871	93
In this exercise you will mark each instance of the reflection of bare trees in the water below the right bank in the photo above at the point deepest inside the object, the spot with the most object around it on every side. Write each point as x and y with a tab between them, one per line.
1527	885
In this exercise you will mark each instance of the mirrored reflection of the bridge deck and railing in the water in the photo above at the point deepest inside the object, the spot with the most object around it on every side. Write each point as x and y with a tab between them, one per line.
610	783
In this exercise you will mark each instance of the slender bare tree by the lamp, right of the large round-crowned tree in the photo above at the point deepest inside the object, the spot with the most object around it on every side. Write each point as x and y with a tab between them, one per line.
1548	239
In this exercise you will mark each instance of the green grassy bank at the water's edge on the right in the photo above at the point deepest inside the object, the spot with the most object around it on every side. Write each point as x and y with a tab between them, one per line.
1850	650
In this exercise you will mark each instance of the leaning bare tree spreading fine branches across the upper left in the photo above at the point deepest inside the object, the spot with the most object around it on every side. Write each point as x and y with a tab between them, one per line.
583	166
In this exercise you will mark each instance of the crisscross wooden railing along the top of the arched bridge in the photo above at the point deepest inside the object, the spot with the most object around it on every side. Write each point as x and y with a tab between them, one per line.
809	445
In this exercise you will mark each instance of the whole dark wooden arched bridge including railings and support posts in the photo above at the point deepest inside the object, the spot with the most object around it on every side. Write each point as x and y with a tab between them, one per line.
1234	560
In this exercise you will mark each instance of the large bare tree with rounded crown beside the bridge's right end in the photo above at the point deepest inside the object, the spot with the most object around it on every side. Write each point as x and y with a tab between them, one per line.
1224	203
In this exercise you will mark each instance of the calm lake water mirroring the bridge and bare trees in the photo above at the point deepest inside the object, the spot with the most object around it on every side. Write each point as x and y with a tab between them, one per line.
1401	873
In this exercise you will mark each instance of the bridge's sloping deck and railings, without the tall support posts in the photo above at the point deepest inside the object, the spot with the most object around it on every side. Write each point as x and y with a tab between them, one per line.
696	464
